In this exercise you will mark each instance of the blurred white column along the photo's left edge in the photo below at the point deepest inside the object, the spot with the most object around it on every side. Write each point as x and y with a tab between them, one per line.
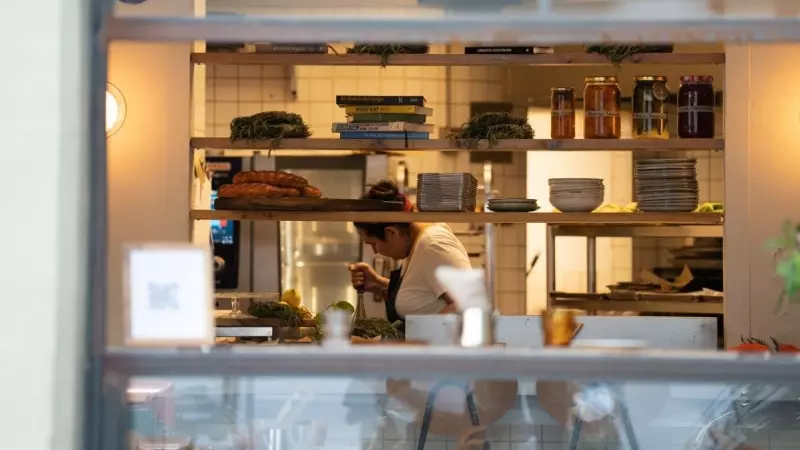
44	146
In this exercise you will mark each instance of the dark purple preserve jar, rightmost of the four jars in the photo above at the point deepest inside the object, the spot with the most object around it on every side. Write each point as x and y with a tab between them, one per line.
696	107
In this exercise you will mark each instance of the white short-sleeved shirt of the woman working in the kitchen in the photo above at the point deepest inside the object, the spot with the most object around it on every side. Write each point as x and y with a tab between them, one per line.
419	292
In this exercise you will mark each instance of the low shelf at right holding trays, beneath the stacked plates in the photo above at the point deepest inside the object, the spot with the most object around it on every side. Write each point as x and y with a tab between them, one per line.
640	302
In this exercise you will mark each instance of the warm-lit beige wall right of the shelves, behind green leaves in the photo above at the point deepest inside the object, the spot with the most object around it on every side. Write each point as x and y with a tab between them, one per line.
762	187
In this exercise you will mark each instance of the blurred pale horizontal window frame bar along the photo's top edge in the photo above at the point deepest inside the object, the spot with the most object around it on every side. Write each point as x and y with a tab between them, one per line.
538	21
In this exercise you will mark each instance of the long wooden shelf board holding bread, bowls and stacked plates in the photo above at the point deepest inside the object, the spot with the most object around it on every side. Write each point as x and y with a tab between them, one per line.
611	219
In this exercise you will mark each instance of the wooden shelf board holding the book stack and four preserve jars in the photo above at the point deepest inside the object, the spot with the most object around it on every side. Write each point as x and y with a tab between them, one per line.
516	145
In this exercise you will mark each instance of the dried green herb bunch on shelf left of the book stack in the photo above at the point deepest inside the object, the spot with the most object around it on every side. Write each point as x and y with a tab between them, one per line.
274	125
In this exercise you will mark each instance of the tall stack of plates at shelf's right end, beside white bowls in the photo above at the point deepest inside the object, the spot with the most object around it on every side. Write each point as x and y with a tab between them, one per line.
666	185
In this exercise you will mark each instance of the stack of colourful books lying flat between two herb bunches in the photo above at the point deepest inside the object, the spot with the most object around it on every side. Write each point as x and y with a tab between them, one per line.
383	117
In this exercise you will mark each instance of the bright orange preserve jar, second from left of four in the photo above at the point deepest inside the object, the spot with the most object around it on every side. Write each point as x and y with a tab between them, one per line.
602	108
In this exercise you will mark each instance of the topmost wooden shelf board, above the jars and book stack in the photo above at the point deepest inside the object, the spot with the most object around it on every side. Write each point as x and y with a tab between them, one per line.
555	59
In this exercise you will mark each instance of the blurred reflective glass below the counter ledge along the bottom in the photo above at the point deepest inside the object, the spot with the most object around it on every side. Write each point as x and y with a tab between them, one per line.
304	413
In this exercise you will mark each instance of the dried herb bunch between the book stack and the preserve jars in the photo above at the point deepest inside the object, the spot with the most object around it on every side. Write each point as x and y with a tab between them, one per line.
493	127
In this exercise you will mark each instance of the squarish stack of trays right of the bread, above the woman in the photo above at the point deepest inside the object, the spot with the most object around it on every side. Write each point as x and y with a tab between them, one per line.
446	192
